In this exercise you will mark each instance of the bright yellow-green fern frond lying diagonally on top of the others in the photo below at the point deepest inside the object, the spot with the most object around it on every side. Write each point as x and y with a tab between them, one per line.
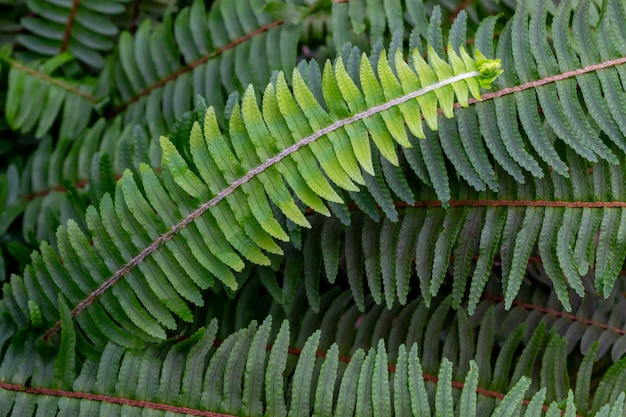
245	227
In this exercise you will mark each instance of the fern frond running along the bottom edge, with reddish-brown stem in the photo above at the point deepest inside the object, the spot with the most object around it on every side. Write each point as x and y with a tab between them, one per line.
256	371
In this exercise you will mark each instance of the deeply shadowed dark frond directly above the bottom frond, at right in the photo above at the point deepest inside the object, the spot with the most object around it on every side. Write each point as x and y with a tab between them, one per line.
532	339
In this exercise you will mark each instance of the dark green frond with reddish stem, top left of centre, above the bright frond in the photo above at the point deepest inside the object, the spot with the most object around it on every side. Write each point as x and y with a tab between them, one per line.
162	69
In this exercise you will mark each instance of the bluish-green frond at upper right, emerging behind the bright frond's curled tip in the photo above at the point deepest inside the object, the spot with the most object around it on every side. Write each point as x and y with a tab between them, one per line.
538	110
